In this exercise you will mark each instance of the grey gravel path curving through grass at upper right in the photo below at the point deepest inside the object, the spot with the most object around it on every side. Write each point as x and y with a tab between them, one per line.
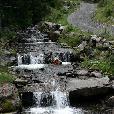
82	18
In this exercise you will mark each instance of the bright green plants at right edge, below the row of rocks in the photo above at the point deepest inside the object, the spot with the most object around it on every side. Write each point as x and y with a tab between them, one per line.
102	61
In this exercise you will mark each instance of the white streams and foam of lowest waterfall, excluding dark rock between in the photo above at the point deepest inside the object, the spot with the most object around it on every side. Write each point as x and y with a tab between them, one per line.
61	106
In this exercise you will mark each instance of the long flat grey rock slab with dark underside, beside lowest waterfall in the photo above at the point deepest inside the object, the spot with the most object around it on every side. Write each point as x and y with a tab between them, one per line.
88	87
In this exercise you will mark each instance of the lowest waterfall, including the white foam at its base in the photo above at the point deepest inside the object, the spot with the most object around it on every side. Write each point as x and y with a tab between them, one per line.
56	103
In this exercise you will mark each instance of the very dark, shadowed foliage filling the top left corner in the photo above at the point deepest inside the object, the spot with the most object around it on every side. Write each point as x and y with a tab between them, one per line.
23	13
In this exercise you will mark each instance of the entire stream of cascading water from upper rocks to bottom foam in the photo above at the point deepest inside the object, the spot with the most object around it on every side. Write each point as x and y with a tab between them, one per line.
39	55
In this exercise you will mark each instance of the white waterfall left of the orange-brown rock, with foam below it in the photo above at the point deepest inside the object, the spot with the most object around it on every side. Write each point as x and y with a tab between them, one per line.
30	61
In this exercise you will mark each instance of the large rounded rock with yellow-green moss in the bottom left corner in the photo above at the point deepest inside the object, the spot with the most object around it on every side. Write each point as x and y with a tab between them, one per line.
9	99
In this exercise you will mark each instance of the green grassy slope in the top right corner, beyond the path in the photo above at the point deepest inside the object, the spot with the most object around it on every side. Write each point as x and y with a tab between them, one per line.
105	11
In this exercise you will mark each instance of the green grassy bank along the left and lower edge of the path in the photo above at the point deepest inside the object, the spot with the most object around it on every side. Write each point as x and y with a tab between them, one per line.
71	35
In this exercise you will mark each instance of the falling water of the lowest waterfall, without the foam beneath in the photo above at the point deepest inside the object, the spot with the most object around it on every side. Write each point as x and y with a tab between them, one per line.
55	99
